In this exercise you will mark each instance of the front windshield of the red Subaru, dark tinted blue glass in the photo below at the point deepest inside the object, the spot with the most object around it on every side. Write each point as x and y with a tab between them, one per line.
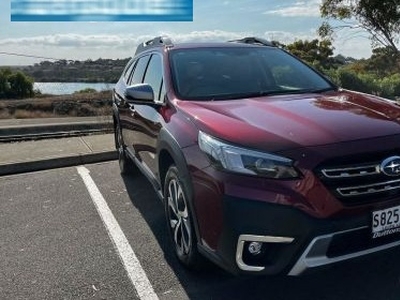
237	72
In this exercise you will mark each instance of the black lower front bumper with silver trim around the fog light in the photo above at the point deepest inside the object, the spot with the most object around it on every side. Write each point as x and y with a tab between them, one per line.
292	242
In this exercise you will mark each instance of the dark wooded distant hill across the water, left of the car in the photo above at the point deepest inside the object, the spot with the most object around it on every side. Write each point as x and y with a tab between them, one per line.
100	70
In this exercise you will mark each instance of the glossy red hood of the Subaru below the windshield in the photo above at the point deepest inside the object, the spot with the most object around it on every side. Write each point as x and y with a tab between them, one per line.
283	122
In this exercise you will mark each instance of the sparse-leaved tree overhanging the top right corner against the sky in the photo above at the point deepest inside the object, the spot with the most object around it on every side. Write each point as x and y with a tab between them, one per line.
380	18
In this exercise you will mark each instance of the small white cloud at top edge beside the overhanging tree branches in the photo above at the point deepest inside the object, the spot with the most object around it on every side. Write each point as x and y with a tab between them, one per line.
299	9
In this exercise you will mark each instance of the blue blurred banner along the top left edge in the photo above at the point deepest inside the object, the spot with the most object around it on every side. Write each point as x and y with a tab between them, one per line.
101	10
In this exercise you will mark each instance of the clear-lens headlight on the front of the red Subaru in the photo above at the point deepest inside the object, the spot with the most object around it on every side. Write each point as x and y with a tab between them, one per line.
245	161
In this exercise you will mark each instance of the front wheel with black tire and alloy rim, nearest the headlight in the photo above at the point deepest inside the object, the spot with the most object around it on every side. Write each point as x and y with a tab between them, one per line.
180	220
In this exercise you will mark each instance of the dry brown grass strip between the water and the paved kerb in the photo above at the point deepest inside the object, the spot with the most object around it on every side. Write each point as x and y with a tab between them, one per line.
50	106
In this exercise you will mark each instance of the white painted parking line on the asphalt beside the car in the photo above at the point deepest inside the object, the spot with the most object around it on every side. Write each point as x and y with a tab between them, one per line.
131	263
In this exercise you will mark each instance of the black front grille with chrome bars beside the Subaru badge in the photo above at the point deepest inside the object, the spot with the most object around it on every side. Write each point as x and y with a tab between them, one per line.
359	180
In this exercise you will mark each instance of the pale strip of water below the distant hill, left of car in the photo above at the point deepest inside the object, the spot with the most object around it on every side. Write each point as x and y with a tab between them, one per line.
62	88
